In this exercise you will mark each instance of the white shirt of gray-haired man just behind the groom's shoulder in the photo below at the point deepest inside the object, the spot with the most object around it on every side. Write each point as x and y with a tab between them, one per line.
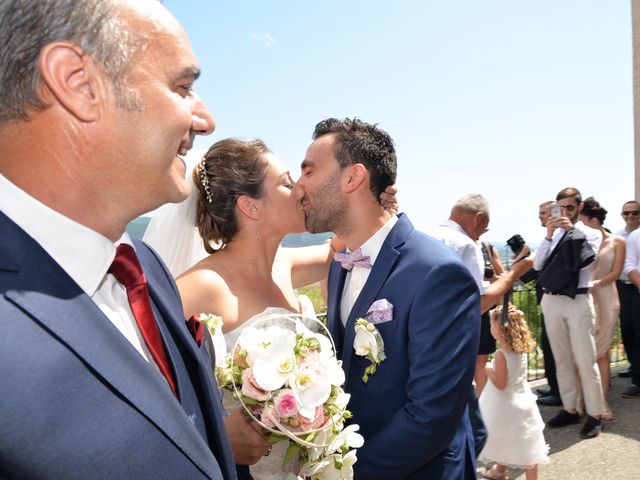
453	235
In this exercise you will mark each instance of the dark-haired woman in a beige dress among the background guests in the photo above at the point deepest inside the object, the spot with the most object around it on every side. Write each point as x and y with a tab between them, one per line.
607	268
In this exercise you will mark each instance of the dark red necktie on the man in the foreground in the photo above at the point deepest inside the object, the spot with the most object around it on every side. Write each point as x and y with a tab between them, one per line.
127	270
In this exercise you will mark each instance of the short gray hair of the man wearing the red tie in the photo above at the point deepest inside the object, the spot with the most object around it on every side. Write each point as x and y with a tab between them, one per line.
29	25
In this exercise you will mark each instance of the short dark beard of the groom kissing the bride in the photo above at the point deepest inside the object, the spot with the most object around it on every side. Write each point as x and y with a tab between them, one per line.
327	211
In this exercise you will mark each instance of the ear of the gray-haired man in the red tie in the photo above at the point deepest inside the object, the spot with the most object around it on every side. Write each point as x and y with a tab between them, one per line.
73	79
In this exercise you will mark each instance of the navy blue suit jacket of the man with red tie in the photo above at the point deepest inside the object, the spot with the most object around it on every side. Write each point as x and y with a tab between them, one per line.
77	401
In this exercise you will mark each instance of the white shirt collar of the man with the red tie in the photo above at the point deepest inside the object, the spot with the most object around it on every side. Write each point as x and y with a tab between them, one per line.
83	253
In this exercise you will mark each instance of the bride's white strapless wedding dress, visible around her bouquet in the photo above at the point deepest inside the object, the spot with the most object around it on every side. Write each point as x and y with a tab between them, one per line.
271	467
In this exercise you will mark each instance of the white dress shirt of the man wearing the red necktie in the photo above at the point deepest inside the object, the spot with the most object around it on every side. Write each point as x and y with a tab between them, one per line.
83	253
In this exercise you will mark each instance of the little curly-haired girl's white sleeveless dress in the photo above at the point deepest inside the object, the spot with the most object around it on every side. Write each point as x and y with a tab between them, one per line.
513	420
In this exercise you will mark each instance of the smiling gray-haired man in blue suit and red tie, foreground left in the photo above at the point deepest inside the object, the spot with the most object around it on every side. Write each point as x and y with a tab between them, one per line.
100	377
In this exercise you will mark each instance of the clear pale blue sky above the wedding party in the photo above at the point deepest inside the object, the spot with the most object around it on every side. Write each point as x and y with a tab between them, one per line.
512	99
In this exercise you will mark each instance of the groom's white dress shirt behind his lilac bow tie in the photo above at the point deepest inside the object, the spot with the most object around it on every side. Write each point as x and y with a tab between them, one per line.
357	277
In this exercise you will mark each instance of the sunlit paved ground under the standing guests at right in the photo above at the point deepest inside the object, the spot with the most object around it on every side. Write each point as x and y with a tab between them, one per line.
614	454
